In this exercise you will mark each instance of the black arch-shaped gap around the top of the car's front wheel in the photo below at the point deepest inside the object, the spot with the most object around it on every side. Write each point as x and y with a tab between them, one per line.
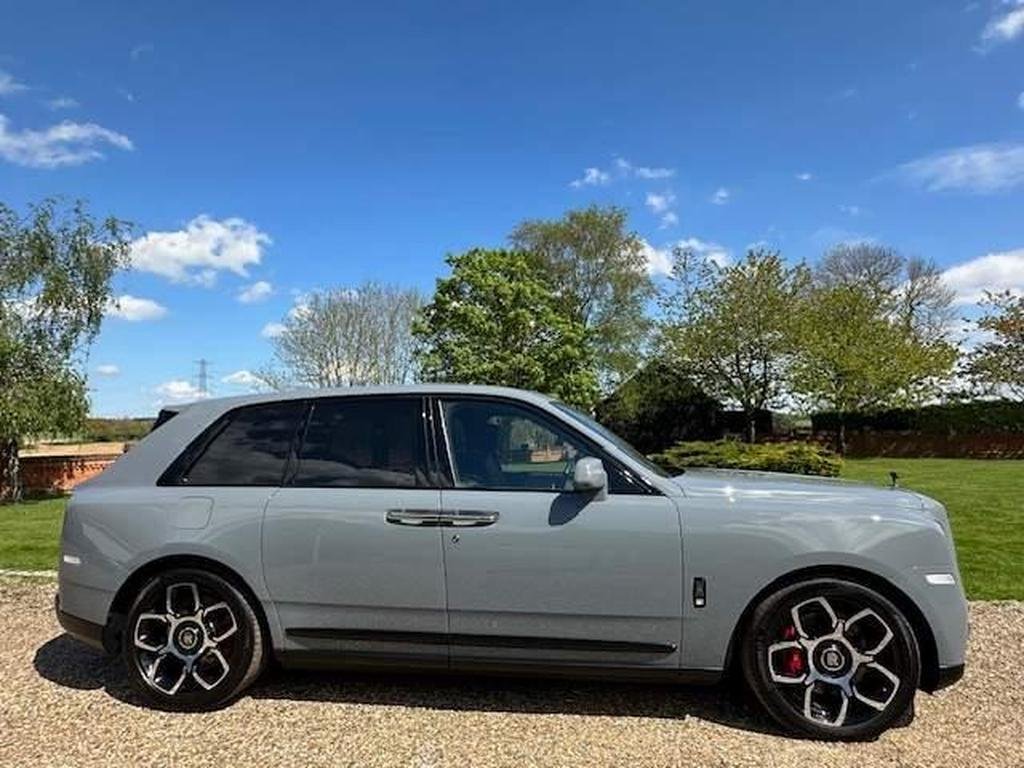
923	632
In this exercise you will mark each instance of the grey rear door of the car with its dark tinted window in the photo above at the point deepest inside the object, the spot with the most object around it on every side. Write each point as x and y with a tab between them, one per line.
352	549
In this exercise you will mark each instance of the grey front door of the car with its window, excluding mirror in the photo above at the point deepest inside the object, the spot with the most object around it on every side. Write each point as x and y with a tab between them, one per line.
539	574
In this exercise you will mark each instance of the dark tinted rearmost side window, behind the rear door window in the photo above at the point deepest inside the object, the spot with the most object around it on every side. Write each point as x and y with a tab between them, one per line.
252	449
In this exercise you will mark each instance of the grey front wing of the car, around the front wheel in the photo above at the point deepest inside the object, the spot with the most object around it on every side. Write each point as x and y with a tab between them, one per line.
743	539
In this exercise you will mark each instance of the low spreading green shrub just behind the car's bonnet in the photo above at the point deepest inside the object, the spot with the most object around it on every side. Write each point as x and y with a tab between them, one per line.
796	458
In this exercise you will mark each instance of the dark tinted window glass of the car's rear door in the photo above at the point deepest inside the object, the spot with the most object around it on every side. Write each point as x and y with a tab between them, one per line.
369	443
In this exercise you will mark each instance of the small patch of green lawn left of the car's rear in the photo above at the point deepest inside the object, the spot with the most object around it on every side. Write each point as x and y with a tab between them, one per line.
29	534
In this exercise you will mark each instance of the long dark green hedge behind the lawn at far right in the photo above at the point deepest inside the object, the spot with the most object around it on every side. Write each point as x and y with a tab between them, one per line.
976	417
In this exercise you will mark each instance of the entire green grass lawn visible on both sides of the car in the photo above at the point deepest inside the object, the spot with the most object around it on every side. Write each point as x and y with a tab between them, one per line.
986	500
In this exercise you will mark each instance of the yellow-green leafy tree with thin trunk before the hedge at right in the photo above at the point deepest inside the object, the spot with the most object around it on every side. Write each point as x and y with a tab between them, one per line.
856	356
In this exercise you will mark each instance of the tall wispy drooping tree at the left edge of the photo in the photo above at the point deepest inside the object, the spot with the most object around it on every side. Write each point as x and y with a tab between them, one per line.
57	266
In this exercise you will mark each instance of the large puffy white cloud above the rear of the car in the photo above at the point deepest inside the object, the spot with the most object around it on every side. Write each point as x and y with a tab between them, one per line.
197	253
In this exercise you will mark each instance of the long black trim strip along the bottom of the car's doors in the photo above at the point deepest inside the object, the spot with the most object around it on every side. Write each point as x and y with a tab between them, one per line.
490	642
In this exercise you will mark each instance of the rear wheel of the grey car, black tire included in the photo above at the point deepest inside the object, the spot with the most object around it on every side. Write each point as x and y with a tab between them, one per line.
185	645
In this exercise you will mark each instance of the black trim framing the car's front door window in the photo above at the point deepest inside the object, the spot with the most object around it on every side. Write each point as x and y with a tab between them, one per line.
644	488
